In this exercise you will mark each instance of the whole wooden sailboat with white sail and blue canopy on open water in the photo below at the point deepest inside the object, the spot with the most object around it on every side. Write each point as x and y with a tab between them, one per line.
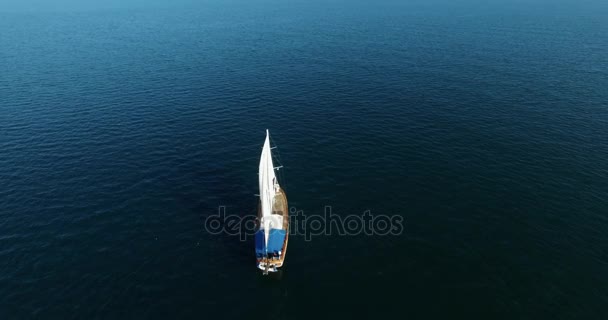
273	216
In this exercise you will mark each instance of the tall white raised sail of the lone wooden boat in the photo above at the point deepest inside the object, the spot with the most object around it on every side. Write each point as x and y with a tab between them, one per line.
267	187
